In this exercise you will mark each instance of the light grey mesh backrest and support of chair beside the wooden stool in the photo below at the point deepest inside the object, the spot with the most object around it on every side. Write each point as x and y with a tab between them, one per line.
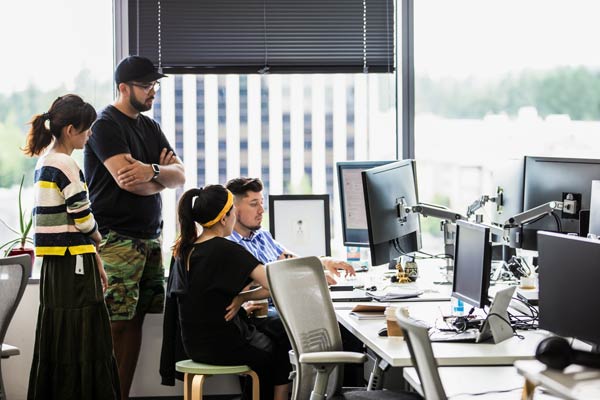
301	295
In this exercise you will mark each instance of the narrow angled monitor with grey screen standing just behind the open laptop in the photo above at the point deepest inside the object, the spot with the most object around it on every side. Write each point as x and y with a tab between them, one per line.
472	263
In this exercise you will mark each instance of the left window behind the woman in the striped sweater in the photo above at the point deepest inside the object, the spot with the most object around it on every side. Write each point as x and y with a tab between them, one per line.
53	50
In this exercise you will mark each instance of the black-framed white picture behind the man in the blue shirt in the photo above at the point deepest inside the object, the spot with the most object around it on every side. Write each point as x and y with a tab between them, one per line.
301	223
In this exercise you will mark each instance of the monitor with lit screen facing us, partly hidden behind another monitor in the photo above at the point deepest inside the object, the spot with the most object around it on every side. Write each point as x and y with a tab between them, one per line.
352	201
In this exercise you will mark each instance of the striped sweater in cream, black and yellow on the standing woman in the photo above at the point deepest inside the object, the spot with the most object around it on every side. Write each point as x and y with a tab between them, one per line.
63	218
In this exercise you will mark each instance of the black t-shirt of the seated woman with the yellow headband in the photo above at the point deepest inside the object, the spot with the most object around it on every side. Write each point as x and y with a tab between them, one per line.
219	270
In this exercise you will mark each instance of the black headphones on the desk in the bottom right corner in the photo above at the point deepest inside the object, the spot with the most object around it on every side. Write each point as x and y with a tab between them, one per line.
557	353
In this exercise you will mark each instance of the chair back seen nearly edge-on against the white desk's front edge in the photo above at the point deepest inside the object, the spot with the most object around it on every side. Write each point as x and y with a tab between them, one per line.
422	357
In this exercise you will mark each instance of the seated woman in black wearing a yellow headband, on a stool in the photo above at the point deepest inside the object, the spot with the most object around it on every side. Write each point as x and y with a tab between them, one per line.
213	272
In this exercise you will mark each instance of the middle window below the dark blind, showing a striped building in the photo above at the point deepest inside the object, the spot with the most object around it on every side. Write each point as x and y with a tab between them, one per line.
287	129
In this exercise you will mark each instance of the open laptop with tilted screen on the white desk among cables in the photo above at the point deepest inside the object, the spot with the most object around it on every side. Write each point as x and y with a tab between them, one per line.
494	326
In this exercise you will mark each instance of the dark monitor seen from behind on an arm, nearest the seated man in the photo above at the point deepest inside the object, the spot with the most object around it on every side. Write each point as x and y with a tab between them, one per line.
385	189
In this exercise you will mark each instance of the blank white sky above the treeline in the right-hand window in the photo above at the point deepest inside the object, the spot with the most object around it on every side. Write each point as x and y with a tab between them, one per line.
486	38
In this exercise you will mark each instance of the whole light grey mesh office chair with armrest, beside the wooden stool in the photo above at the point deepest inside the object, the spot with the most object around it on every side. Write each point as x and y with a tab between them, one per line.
301	295
